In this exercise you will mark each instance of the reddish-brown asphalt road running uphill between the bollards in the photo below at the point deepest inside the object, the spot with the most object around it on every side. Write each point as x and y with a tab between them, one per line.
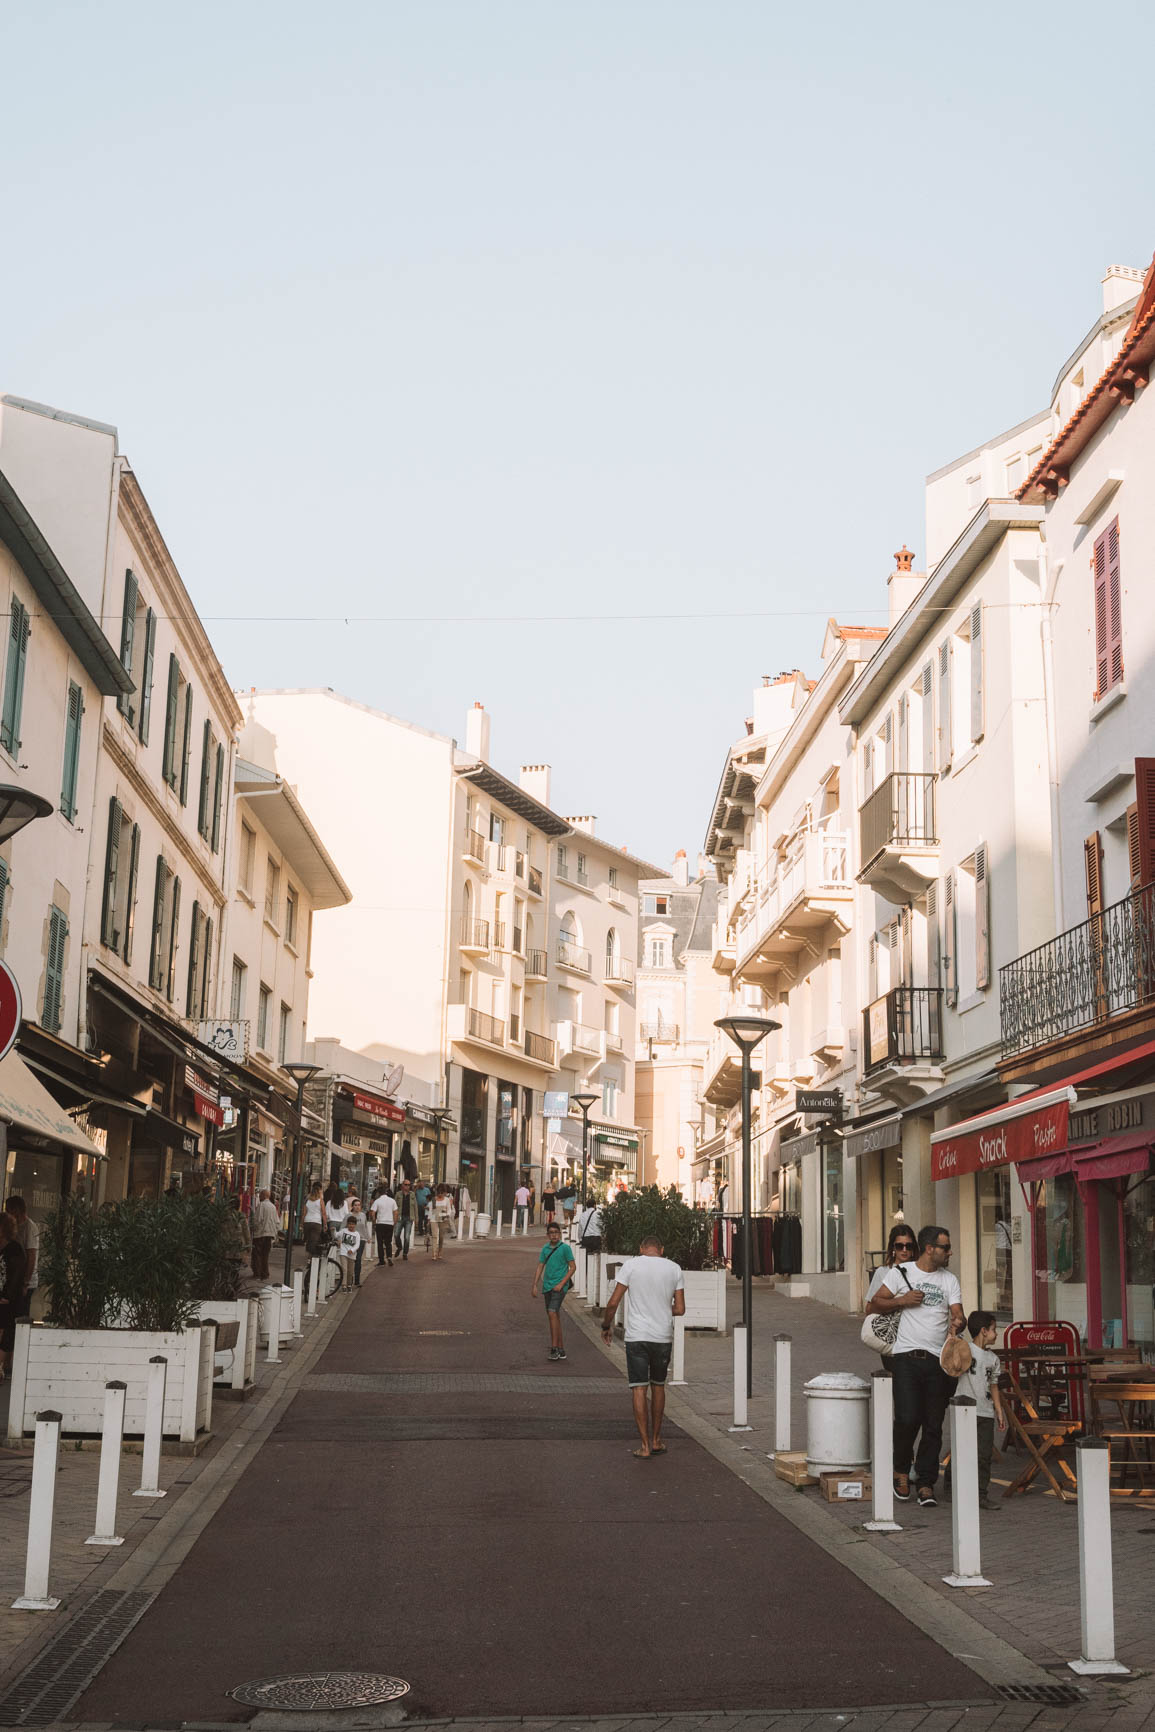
484	1532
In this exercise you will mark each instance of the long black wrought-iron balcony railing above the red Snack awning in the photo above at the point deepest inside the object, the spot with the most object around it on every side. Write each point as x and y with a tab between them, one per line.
1083	978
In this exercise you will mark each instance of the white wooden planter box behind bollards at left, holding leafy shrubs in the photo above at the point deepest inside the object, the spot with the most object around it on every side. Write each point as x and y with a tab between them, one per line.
67	1371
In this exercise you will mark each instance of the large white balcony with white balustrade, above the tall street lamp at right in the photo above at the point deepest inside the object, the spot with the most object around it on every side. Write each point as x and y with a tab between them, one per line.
792	917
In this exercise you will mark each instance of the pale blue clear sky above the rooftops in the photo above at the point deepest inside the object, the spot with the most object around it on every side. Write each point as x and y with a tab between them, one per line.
576	359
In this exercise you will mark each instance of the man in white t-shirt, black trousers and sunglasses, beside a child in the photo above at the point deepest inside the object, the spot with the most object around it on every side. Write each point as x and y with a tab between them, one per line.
929	1302
